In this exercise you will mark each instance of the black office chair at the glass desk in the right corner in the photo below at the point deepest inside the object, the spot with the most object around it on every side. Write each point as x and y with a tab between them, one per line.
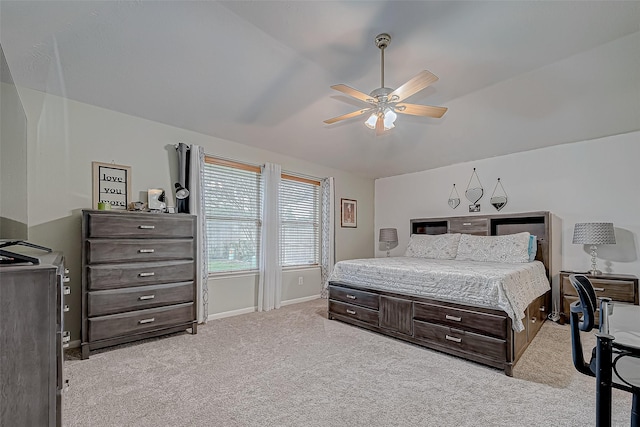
625	369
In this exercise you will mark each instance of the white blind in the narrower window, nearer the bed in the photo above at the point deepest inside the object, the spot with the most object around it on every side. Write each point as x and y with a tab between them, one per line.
300	221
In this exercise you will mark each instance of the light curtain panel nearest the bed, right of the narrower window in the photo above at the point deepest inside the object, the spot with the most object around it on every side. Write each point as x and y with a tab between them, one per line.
327	221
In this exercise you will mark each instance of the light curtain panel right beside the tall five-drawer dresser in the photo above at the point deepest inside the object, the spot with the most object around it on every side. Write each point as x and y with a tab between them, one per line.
196	207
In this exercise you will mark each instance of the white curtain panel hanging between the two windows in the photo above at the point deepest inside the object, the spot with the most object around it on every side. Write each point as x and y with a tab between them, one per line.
270	283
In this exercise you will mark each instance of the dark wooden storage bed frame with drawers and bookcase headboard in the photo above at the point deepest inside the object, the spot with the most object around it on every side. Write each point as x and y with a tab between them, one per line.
475	333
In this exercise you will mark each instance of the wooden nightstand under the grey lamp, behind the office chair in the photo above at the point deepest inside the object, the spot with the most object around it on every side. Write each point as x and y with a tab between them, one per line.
618	287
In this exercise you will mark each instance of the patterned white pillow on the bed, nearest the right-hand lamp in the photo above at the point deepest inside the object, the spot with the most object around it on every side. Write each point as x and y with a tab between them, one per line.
510	248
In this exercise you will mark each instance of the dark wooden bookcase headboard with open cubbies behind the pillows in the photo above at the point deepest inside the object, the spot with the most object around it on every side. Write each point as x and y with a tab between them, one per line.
544	225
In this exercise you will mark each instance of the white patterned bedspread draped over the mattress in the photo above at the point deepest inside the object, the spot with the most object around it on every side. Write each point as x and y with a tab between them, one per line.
508	287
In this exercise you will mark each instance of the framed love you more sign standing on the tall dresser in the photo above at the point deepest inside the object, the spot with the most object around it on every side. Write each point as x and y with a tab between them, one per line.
111	184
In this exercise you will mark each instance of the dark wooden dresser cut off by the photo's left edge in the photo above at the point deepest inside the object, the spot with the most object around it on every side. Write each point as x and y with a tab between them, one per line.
32	338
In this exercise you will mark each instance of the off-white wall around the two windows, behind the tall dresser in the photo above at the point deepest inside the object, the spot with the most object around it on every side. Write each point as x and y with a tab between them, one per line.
66	136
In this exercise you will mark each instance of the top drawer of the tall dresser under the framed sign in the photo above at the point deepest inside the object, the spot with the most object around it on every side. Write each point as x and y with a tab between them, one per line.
139	225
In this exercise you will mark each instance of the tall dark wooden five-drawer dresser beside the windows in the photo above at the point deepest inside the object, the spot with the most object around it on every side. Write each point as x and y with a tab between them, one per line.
138	276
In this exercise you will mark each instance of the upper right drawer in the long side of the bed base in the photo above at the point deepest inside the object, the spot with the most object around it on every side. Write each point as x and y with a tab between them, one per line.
468	320
